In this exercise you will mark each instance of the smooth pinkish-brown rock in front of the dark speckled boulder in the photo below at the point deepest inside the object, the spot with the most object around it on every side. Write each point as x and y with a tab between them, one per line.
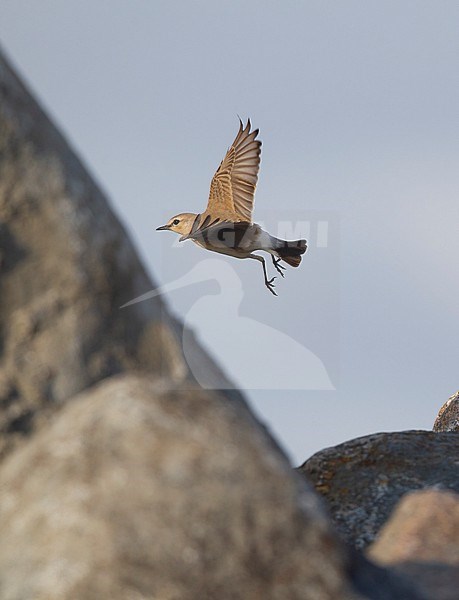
421	540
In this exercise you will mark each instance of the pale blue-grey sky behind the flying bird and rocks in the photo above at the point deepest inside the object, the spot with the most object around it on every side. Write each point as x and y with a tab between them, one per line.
357	105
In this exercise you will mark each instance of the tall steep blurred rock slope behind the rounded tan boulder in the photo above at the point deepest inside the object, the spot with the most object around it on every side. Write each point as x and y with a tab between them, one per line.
66	266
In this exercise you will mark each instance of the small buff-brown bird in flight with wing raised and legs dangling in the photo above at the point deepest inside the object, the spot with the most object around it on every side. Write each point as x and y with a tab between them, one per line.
226	225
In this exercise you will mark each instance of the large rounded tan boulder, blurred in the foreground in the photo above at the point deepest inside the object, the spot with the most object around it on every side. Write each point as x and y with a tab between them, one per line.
140	490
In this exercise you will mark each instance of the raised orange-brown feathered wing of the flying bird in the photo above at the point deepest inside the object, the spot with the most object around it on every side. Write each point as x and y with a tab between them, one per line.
233	185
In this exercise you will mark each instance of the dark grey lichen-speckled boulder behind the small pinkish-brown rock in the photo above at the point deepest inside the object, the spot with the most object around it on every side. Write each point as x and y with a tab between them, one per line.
362	480
